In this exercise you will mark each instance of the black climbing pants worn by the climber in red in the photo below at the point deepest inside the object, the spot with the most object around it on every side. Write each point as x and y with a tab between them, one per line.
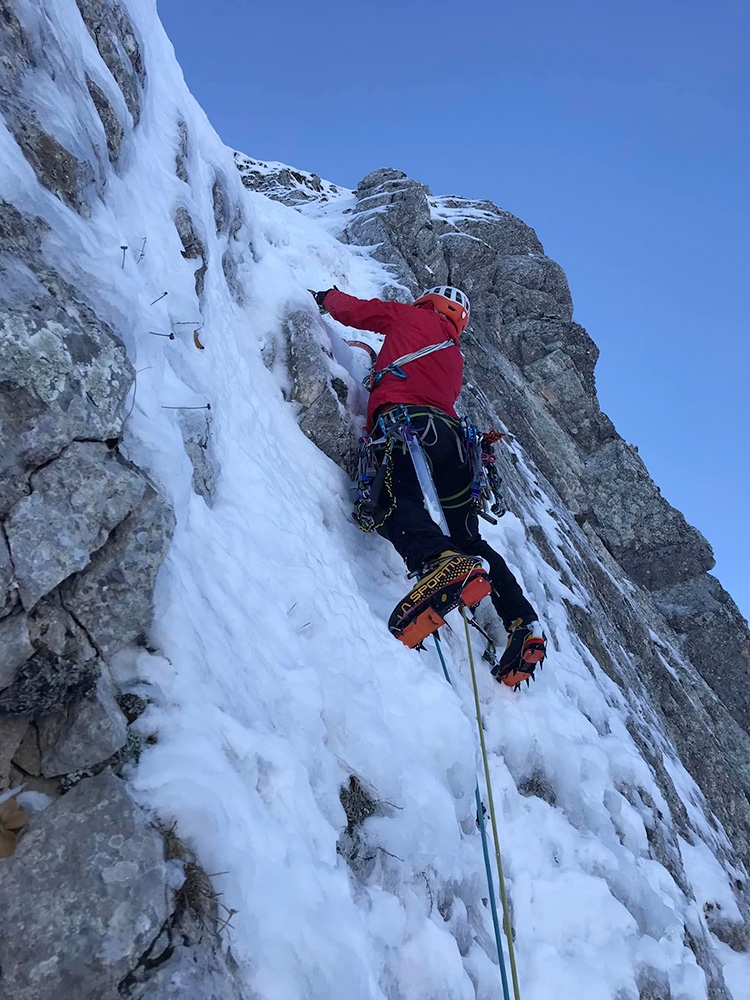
415	535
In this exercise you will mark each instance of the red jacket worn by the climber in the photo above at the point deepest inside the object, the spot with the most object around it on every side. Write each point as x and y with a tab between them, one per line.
434	380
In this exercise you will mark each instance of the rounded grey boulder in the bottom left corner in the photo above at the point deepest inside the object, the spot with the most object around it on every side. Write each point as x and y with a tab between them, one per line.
90	862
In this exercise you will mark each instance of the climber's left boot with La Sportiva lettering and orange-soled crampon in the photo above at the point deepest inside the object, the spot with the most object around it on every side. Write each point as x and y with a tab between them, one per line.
447	581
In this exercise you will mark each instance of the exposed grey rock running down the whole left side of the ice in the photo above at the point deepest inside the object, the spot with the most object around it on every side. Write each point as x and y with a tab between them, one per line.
83	533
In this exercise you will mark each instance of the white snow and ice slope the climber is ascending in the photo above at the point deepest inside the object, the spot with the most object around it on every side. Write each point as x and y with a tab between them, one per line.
274	678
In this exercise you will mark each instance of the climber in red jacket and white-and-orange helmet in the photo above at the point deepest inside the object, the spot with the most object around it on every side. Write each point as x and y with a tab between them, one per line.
429	386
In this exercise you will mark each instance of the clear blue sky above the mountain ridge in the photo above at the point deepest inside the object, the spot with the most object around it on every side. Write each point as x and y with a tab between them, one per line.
619	131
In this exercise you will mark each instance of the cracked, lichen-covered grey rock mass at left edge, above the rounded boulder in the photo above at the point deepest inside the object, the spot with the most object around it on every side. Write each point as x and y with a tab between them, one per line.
64	377
